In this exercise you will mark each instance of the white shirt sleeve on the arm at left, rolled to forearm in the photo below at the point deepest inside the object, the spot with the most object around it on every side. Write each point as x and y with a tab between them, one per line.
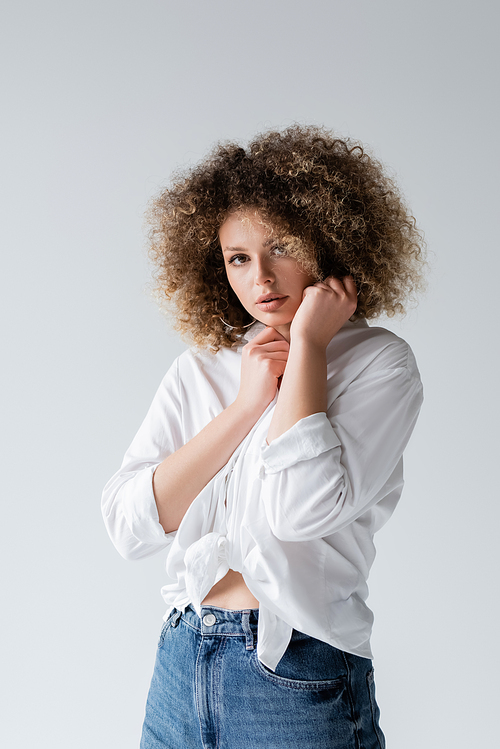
128	504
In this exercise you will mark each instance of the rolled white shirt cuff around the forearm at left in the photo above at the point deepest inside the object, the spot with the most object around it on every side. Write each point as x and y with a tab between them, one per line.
140	510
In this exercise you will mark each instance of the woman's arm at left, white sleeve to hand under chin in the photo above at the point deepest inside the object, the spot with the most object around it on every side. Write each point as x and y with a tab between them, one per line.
160	476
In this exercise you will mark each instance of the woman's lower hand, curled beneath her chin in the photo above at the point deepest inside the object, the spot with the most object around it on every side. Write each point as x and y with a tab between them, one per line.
263	362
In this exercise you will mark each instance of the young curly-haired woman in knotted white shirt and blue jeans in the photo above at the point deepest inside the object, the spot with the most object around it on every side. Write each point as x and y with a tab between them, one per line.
272	451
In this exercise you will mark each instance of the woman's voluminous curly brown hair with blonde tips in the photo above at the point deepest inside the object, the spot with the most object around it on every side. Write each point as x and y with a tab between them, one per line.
333	206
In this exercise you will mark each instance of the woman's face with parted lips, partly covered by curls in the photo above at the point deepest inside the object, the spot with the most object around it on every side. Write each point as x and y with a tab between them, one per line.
268	283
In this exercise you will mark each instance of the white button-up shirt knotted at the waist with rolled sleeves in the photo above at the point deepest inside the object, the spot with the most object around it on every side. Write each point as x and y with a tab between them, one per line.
296	517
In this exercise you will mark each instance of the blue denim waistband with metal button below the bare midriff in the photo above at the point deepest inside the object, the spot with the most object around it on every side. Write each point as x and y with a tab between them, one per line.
215	621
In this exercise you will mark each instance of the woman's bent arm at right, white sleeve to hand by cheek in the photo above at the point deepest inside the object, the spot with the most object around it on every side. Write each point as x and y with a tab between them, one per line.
322	471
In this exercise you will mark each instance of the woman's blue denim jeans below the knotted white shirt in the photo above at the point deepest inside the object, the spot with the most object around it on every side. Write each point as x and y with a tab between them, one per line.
210	691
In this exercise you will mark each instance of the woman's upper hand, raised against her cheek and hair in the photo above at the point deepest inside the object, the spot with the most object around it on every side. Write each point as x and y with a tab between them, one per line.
325	307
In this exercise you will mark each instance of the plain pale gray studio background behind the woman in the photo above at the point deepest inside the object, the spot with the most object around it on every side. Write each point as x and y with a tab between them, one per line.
102	100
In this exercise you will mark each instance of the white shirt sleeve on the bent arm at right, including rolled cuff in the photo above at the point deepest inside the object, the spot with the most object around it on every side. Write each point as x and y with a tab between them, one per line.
329	468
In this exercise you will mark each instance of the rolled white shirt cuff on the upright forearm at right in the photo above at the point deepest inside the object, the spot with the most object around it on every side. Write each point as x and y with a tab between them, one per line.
307	439
